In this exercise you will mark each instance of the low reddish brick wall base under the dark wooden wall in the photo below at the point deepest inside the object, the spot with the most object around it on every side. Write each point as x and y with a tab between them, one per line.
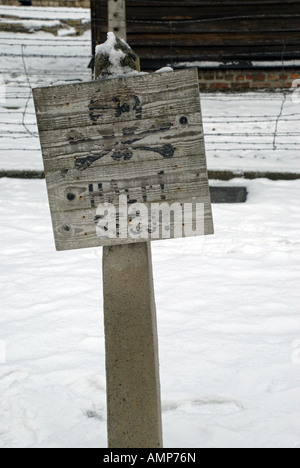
252	79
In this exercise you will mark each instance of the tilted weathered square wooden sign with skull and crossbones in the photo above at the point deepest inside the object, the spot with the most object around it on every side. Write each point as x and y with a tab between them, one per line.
125	159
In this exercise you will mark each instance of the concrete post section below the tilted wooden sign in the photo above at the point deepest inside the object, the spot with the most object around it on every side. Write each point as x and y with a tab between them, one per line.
133	389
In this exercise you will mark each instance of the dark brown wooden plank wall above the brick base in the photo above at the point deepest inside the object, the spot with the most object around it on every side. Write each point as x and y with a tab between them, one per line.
227	31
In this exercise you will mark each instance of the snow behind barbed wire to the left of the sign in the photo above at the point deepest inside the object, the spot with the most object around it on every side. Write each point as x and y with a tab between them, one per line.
28	60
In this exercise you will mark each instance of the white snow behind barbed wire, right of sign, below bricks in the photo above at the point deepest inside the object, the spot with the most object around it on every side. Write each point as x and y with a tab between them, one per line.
239	132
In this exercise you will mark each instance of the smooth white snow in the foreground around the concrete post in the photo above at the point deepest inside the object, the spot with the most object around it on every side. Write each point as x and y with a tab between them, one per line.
229	328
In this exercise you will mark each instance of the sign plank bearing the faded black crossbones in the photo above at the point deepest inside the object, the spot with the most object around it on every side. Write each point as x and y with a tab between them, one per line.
92	142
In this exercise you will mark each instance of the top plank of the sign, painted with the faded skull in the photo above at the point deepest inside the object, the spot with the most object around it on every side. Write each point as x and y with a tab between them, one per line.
111	101
